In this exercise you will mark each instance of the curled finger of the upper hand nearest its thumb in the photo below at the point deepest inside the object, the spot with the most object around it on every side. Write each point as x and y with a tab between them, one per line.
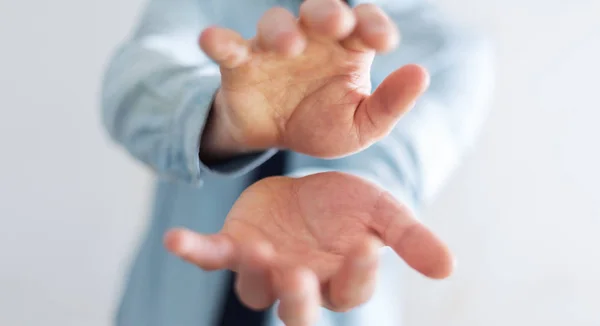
374	30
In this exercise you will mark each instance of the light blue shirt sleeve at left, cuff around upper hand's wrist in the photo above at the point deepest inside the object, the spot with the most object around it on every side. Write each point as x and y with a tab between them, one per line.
158	90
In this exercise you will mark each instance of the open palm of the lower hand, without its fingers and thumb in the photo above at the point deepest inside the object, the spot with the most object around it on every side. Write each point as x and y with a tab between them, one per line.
313	221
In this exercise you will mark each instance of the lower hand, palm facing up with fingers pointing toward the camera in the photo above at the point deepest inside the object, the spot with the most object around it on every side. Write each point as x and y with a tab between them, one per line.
311	241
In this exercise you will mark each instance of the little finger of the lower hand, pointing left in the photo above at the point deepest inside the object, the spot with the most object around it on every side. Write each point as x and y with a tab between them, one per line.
209	252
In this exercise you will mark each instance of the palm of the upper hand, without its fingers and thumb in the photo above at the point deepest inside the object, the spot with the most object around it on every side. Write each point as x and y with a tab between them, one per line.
305	103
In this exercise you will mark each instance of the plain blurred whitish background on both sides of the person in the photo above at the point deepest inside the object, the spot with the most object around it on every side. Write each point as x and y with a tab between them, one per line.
522	213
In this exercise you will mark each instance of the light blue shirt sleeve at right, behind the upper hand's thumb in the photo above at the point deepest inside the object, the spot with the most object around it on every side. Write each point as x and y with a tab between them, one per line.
414	160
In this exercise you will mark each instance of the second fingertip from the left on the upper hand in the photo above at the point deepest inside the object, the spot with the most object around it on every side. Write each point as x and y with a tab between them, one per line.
279	32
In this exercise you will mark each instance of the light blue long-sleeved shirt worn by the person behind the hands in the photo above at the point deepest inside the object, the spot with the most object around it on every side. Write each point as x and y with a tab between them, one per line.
156	97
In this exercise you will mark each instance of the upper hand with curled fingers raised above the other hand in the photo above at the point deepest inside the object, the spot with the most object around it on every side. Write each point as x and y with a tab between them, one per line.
305	84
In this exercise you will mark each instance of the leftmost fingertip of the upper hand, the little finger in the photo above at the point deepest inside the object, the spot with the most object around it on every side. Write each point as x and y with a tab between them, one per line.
224	46
